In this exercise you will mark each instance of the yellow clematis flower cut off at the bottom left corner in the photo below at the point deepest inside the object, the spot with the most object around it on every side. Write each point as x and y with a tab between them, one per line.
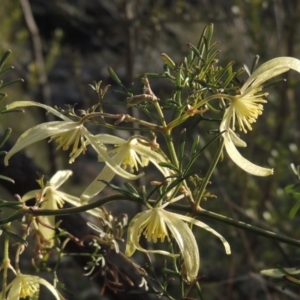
24	286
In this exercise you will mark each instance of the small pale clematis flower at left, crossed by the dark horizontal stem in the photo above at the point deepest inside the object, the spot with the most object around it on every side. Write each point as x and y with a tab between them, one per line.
51	198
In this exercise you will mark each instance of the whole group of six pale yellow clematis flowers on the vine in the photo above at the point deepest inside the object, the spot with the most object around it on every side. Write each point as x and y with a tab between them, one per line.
123	157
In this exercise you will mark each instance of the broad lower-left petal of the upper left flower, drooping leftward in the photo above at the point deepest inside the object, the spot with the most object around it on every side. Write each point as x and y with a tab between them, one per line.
39	133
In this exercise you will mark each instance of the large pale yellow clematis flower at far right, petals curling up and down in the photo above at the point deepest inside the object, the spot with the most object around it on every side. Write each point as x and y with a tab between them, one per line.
245	108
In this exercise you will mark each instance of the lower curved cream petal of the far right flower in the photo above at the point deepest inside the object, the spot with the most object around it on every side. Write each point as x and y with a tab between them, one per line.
242	162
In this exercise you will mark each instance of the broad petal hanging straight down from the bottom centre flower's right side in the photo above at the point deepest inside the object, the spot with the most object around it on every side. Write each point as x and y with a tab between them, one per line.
186	242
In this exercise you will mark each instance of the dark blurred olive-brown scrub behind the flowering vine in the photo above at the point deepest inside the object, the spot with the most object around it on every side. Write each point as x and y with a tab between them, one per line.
61	46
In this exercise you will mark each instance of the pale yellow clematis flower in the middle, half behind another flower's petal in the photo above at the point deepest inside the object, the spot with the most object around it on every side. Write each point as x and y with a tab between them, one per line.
132	153
